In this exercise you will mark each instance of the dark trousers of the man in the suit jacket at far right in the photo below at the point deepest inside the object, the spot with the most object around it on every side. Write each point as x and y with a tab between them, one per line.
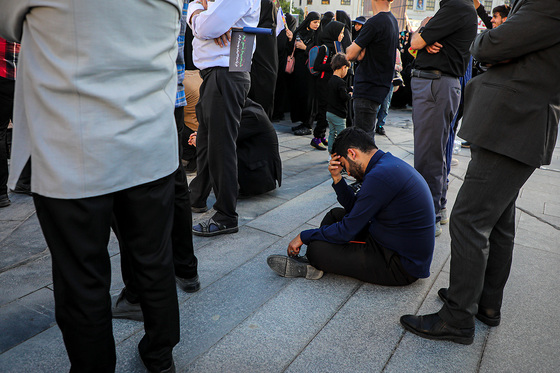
482	228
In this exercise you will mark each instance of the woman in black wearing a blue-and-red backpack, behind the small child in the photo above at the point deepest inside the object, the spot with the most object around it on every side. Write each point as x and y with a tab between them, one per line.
332	34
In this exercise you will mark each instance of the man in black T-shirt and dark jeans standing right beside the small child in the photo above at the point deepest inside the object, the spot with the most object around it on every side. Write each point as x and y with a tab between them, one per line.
375	49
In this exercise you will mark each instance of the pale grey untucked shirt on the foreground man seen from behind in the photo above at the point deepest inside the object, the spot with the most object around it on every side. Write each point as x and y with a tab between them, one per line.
95	93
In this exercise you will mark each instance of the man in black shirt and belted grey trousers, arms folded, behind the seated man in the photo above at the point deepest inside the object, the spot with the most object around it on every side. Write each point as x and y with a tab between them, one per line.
443	55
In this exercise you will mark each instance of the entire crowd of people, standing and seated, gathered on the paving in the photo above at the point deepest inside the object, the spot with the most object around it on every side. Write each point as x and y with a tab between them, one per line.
115	113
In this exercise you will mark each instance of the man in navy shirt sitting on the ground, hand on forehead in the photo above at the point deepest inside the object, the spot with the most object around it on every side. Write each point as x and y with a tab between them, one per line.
384	234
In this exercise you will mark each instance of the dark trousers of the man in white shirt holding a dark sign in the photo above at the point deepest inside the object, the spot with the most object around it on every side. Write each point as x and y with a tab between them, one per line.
222	97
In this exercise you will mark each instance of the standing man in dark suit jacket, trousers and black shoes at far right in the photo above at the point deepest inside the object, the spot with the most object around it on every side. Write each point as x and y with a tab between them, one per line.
514	134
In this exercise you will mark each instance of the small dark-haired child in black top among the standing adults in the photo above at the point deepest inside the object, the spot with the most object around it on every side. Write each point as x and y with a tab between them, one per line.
337	97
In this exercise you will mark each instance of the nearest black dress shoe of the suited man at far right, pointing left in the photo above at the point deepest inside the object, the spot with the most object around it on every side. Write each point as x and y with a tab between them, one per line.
433	327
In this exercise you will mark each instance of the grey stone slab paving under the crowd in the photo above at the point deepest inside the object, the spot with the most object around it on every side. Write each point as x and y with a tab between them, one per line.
247	319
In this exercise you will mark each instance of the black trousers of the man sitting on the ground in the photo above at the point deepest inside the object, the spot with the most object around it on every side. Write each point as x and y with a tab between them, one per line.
368	261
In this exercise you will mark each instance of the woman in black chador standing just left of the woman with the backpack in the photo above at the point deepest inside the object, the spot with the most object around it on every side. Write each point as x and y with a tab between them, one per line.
302	87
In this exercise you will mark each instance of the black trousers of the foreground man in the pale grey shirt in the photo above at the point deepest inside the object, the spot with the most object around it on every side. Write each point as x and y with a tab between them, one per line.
77	233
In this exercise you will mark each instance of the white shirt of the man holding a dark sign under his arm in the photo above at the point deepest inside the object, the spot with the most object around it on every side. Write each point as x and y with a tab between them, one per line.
220	16
